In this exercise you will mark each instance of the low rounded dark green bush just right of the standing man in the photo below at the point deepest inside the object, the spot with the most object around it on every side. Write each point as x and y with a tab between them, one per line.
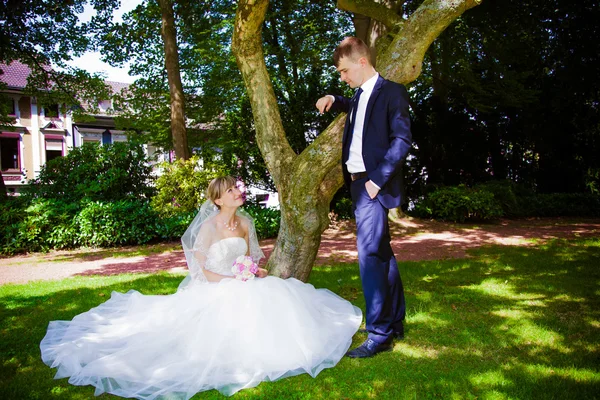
458	204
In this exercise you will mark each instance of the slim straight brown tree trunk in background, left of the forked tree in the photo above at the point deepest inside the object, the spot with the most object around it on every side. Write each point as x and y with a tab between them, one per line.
169	35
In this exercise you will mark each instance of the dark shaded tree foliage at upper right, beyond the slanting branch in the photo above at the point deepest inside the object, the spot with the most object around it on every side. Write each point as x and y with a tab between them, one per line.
505	94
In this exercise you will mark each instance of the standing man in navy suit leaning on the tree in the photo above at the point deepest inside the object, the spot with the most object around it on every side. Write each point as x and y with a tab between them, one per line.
376	141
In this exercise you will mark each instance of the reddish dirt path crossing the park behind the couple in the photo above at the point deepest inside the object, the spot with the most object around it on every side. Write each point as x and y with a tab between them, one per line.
412	240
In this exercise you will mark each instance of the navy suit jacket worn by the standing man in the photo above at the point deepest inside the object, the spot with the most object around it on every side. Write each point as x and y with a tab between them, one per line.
386	139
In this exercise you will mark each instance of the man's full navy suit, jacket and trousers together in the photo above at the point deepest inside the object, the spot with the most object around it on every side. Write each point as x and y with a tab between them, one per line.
386	141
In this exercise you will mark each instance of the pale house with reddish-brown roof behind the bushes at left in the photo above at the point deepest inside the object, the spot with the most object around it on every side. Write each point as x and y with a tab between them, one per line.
41	133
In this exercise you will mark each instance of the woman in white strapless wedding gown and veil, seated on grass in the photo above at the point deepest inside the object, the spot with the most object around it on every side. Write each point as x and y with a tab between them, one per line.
215	332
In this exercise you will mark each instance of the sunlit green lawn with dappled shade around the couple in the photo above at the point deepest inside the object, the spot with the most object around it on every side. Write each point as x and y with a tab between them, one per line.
506	323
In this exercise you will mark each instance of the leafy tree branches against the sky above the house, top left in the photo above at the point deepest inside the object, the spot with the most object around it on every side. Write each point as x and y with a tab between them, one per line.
47	34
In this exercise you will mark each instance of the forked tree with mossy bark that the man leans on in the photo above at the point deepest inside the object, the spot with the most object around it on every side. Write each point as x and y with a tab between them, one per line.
307	182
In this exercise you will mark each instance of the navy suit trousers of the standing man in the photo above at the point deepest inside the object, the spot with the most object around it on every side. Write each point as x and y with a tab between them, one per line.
381	282
